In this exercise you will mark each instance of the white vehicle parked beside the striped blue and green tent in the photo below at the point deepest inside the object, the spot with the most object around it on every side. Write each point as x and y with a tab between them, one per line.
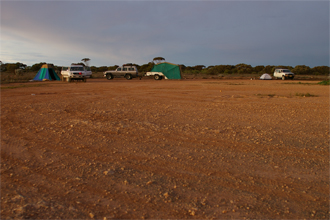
75	72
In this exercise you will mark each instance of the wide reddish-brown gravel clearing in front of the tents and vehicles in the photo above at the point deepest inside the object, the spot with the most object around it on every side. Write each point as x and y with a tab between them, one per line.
200	149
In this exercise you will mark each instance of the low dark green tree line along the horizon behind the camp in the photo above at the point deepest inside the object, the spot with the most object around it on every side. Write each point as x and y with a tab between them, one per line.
198	69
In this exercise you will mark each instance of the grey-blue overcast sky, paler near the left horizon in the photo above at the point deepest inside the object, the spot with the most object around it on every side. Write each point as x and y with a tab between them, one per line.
183	32
